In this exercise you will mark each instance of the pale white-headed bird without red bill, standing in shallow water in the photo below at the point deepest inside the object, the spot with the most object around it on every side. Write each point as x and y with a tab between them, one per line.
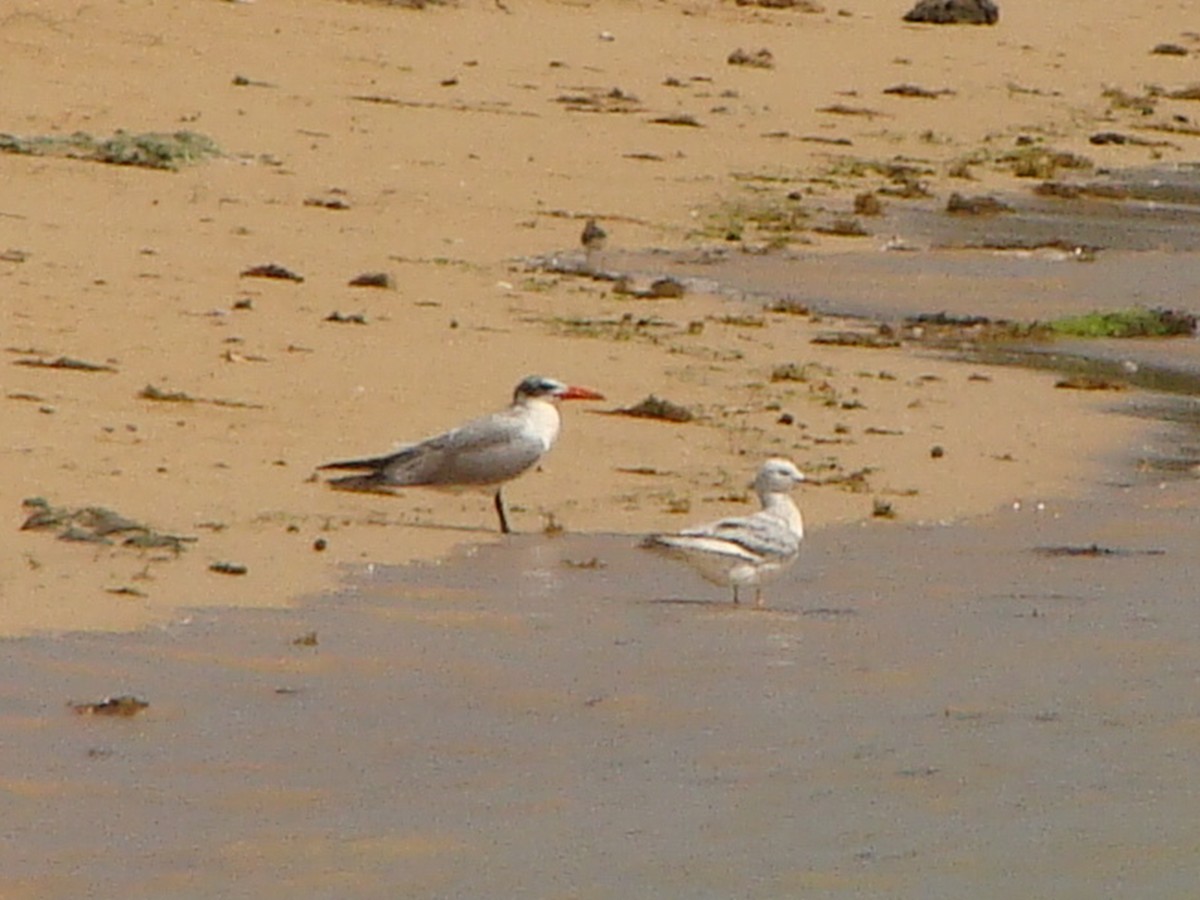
747	550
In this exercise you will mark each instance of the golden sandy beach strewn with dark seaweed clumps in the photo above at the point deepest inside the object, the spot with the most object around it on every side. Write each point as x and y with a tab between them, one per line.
441	148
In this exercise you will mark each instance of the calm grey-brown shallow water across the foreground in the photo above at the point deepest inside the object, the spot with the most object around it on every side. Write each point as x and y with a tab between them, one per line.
923	712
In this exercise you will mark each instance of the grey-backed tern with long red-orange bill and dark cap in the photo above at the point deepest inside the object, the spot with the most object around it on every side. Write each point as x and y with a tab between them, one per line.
483	454
